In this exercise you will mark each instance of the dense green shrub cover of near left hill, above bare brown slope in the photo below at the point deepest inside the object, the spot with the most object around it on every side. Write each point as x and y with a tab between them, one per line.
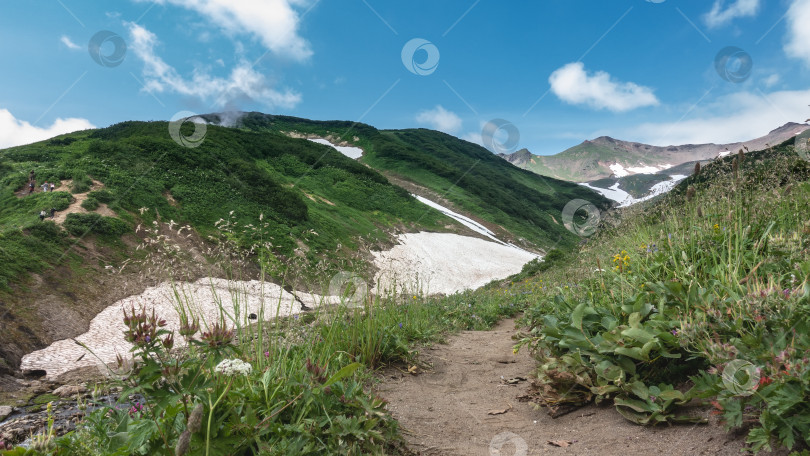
297	185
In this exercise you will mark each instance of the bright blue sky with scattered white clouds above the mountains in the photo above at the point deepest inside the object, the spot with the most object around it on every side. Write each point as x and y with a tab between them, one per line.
560	71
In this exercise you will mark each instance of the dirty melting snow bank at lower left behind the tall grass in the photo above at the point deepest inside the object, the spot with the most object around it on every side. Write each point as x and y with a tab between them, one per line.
105	338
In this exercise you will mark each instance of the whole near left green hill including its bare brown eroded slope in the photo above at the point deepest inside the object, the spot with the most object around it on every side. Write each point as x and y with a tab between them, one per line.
308	201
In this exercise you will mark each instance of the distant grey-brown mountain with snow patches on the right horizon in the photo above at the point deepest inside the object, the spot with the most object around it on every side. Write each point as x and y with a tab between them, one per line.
606	157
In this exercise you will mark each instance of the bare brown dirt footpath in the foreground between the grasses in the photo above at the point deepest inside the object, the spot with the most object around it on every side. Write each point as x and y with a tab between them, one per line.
446	410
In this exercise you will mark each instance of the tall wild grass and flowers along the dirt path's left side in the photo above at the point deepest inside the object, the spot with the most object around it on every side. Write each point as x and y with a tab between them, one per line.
286	384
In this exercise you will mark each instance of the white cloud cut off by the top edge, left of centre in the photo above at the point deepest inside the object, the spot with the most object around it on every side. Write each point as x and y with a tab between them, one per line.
274	22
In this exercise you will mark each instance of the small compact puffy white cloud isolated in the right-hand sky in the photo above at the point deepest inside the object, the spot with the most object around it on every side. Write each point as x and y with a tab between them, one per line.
572	84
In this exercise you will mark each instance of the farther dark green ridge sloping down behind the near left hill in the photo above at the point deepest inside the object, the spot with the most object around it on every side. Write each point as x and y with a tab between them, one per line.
517	203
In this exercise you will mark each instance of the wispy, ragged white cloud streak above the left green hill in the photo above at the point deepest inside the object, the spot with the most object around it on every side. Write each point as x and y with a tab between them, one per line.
243	80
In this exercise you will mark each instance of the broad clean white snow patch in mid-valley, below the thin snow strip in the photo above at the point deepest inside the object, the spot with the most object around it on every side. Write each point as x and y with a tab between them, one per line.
445	263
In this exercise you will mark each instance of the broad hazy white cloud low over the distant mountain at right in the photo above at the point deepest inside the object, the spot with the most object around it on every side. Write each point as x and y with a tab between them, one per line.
738	117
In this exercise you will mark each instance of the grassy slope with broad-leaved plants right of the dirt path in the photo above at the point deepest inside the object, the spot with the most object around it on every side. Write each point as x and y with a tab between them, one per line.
702	295
